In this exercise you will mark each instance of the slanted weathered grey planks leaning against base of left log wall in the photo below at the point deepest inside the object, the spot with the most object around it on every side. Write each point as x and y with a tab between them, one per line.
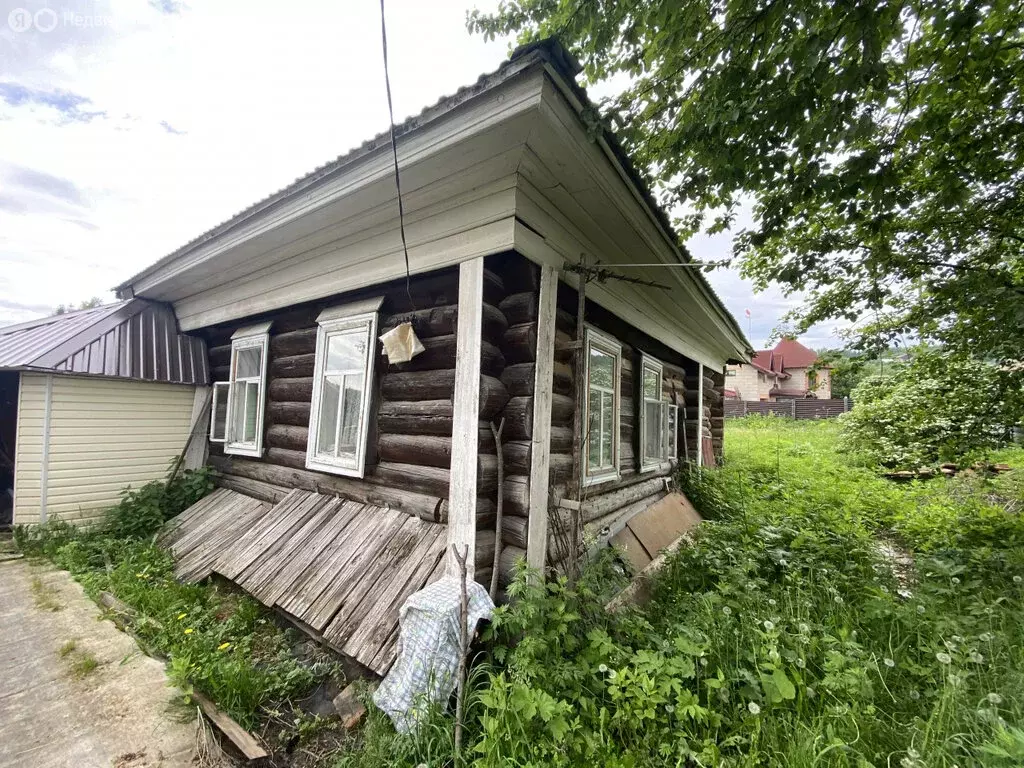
338	569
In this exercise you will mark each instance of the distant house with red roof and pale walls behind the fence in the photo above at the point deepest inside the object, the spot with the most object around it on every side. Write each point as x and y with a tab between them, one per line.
787	372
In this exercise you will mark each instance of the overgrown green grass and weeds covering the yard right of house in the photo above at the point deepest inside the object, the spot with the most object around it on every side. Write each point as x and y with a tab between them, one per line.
784	637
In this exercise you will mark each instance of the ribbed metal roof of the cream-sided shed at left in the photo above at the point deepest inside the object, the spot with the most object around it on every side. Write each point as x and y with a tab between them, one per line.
135	339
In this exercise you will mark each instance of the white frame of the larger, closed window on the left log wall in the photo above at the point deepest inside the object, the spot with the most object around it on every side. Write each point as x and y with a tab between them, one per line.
346	319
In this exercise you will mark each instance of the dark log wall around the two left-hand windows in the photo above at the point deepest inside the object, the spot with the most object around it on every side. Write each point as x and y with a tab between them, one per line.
410	446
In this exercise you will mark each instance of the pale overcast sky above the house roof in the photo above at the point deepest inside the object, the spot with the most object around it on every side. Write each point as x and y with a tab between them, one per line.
129	127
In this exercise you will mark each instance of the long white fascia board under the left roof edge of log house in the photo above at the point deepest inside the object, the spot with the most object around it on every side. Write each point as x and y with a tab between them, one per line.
487	112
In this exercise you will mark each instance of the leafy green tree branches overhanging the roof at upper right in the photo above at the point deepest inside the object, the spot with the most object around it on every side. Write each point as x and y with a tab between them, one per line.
882	143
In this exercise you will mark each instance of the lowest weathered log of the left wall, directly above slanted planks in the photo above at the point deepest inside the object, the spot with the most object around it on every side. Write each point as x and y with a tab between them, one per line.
365	491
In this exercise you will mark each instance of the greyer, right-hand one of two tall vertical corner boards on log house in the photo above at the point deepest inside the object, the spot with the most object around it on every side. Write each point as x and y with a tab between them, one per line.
540	462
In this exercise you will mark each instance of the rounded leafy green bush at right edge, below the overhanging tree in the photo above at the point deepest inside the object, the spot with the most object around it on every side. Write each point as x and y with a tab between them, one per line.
935	409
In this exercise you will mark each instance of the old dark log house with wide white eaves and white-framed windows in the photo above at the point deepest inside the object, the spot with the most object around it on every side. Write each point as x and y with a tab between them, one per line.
505	189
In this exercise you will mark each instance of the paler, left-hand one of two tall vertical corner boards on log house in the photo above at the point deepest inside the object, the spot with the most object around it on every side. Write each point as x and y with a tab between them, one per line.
466	417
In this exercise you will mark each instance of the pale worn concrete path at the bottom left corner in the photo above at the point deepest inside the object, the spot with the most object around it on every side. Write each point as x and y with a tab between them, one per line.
57	710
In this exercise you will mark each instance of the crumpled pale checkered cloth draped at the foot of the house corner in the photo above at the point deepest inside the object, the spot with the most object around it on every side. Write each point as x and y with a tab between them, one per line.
429	650
